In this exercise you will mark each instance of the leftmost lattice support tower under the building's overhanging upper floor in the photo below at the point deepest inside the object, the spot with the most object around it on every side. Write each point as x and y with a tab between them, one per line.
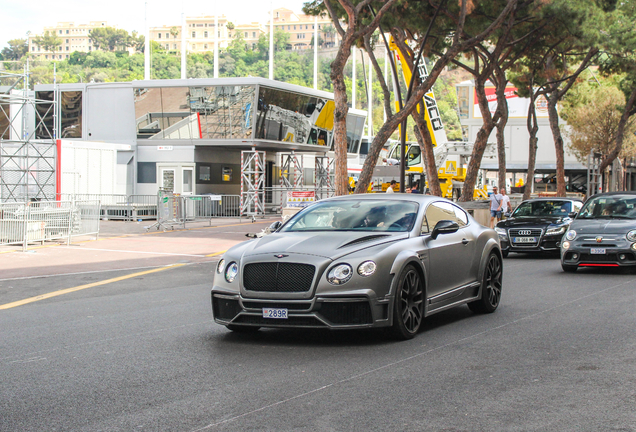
253	183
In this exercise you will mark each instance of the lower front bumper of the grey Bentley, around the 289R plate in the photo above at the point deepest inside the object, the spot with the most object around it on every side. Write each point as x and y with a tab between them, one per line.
346	312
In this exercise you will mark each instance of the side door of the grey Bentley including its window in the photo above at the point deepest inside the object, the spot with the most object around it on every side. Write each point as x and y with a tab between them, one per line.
446	254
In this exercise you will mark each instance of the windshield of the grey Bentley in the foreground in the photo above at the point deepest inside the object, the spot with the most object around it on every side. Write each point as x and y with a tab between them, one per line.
355	215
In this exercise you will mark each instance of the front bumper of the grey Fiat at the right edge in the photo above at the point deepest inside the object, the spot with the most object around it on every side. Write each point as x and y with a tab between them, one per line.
617	254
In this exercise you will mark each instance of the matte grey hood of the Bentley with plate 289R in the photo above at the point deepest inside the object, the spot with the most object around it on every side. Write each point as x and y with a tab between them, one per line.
326	244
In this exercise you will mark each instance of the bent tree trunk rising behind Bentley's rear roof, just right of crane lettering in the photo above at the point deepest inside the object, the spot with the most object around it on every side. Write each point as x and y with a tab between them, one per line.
480	143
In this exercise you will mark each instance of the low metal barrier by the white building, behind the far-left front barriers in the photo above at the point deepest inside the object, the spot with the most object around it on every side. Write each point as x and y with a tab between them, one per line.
121	207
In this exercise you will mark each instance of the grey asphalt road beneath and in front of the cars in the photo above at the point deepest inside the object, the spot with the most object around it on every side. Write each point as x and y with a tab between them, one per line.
144	354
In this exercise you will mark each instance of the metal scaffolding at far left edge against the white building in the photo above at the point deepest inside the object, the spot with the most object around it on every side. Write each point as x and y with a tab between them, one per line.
28	152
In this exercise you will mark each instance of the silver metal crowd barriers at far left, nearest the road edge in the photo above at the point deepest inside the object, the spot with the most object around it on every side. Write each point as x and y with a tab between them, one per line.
37	222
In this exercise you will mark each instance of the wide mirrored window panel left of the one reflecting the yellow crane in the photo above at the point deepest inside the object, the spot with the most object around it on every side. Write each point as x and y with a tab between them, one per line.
188	113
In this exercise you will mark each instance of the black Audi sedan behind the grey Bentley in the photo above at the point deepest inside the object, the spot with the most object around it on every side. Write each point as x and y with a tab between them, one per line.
537	225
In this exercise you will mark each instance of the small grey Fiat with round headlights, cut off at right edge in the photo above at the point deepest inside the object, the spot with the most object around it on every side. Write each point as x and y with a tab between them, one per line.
603	233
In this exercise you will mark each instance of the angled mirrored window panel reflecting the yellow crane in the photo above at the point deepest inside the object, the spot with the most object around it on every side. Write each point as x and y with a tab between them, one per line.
294	117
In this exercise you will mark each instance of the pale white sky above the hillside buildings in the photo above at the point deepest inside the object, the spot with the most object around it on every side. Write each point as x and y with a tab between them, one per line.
20	17
